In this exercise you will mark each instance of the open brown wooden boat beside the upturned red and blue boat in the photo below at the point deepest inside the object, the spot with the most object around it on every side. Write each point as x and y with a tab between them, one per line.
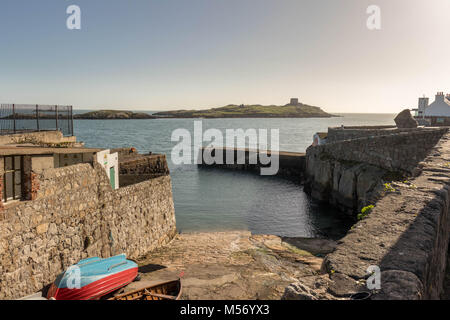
170	290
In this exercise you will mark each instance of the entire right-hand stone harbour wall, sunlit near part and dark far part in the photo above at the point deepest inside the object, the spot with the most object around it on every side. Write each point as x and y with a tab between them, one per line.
406	234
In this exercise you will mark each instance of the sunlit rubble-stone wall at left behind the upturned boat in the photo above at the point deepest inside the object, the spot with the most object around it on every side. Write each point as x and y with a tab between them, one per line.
76	215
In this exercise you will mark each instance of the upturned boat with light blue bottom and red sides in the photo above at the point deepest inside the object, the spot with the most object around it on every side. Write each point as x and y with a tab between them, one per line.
93	278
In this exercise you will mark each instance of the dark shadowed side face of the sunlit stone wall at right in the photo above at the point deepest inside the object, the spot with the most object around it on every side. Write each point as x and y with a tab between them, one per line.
414	267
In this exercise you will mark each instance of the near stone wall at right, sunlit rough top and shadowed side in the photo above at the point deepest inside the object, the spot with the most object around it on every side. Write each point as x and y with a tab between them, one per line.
406	235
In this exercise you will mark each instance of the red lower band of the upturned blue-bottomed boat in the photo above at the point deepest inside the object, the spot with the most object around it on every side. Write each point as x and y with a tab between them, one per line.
94	290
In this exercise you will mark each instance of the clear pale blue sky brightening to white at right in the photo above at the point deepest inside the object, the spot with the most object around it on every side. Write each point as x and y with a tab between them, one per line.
186	54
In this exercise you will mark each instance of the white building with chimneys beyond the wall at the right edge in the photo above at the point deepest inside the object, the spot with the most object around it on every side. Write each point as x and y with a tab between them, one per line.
437	113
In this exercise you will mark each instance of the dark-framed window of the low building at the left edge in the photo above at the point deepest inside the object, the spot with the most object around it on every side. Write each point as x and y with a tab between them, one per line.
12	178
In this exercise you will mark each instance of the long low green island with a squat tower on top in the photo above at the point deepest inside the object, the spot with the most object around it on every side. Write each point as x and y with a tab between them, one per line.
297	110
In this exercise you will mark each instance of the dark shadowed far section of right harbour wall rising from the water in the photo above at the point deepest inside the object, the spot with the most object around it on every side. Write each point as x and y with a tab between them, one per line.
350	174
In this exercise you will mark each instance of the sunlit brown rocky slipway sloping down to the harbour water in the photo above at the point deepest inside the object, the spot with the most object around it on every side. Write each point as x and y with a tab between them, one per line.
229	265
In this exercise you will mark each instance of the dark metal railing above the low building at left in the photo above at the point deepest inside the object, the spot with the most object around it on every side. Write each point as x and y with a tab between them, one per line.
19	118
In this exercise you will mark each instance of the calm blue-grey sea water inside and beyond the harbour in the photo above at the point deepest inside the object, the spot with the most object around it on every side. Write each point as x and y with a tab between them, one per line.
213	200
